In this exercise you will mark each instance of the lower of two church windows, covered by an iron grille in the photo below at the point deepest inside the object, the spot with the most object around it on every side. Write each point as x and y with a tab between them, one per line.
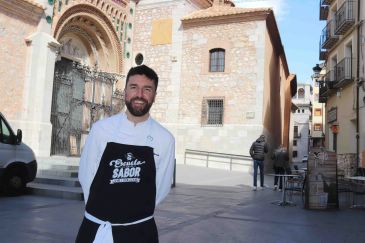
212	111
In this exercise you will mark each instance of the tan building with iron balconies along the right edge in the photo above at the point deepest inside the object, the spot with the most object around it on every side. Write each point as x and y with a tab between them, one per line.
341	48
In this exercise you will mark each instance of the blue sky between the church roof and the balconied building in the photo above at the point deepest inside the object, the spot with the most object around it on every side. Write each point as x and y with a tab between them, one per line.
300	30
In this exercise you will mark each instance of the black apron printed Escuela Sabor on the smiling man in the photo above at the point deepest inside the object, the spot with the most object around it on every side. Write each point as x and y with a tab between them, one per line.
123	191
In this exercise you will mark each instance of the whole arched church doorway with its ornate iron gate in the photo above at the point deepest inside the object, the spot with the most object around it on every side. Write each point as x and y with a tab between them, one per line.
86	72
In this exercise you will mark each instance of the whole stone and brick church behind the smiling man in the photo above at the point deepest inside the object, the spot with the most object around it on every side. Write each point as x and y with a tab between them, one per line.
224	77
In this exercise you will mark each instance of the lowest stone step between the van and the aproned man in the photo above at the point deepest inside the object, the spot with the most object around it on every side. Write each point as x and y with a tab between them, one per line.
65	192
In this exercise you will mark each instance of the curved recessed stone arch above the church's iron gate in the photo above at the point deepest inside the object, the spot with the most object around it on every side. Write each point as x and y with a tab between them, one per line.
95	30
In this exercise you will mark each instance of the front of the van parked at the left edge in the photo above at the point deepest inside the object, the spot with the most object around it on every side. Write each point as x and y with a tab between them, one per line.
18	164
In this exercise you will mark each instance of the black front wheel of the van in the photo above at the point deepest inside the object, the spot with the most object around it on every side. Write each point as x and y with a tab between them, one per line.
14	183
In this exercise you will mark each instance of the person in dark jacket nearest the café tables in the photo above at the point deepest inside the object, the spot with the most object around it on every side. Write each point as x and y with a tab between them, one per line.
281	164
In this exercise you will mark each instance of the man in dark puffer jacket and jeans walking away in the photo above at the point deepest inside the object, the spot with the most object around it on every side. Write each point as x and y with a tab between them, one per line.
257	152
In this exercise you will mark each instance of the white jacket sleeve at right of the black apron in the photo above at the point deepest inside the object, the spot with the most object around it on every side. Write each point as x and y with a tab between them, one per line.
165	171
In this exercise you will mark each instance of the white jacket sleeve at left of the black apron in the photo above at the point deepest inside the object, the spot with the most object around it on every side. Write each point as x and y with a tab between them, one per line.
89	162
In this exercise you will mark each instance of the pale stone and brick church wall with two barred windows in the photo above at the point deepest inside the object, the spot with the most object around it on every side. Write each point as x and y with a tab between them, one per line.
221	70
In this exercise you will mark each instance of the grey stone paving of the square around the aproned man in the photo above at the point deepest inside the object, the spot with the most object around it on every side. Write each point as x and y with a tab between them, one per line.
207	205
